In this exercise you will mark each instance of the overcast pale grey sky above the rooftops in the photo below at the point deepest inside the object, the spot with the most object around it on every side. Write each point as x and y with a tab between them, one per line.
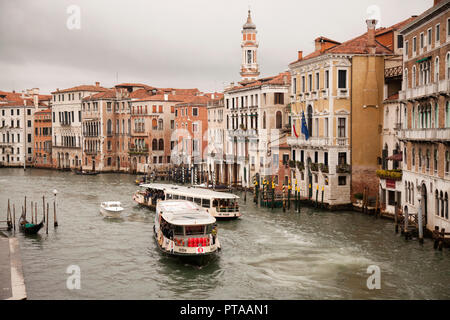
169	43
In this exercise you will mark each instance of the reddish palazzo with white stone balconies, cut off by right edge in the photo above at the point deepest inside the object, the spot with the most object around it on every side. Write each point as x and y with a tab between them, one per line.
425	98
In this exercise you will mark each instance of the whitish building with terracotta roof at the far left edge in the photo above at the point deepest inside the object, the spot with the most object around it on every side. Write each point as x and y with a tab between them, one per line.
16	126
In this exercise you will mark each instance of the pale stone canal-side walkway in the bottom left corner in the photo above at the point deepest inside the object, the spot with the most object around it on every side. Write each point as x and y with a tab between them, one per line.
12	283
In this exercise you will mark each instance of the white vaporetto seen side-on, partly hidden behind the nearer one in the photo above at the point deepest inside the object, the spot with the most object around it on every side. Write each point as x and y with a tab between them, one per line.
221	205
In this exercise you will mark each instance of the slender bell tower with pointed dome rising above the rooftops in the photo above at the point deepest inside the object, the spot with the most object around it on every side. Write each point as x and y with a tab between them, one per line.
249	66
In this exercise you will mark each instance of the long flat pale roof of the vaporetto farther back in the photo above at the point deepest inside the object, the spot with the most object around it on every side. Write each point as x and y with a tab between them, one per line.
190	191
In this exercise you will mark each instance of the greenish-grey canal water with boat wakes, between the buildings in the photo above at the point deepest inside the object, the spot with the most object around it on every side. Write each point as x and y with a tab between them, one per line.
266	254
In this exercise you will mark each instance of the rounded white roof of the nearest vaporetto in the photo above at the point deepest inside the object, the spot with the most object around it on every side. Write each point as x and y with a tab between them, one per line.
183	212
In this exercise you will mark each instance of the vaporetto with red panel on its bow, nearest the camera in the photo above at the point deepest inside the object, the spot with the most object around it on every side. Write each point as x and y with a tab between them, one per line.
184	229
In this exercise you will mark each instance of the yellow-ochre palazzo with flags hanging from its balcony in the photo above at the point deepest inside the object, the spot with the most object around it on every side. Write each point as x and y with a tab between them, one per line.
339	90
